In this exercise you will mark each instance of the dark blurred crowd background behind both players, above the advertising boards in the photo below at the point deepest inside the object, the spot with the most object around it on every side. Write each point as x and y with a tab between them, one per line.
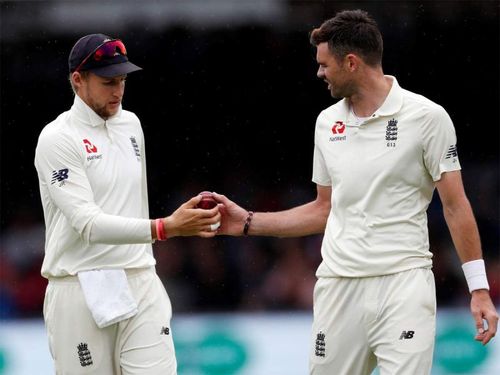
228	100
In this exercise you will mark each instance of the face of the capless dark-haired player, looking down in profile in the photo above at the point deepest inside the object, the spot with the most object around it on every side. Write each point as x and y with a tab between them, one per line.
334	73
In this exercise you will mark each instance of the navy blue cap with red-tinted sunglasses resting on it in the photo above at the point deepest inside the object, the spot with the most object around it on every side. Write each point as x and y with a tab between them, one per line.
107	67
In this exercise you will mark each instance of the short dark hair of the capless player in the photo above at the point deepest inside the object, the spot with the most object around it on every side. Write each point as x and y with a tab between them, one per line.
351	31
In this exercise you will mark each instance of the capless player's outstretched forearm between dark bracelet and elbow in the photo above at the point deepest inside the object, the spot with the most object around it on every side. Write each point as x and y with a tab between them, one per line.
303	220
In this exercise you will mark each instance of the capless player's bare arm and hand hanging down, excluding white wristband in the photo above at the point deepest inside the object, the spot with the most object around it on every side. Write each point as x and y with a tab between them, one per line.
465	235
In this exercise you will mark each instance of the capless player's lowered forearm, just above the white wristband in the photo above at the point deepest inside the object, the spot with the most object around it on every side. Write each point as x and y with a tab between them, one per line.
463	230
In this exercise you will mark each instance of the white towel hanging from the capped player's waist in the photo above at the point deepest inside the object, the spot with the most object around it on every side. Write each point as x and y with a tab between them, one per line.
108	296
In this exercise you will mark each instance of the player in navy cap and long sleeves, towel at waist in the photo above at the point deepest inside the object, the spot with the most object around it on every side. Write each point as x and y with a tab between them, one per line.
106	311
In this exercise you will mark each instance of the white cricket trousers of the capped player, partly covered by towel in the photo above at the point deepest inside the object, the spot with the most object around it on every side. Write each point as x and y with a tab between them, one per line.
141	344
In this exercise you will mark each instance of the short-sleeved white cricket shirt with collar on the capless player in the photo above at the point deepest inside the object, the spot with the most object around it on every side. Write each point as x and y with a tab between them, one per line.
382	174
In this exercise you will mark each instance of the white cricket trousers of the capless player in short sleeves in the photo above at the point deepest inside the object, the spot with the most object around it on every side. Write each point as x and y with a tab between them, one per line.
386	321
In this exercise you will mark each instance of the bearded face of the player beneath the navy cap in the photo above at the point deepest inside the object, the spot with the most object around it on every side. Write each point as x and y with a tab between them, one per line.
103	95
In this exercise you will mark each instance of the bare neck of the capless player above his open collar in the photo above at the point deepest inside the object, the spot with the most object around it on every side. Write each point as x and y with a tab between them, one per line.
371	92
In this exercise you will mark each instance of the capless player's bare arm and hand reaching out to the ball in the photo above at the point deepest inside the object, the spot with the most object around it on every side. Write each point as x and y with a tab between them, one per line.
309	218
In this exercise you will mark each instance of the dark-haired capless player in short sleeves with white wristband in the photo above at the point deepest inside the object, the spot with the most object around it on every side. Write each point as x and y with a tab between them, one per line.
379	154
